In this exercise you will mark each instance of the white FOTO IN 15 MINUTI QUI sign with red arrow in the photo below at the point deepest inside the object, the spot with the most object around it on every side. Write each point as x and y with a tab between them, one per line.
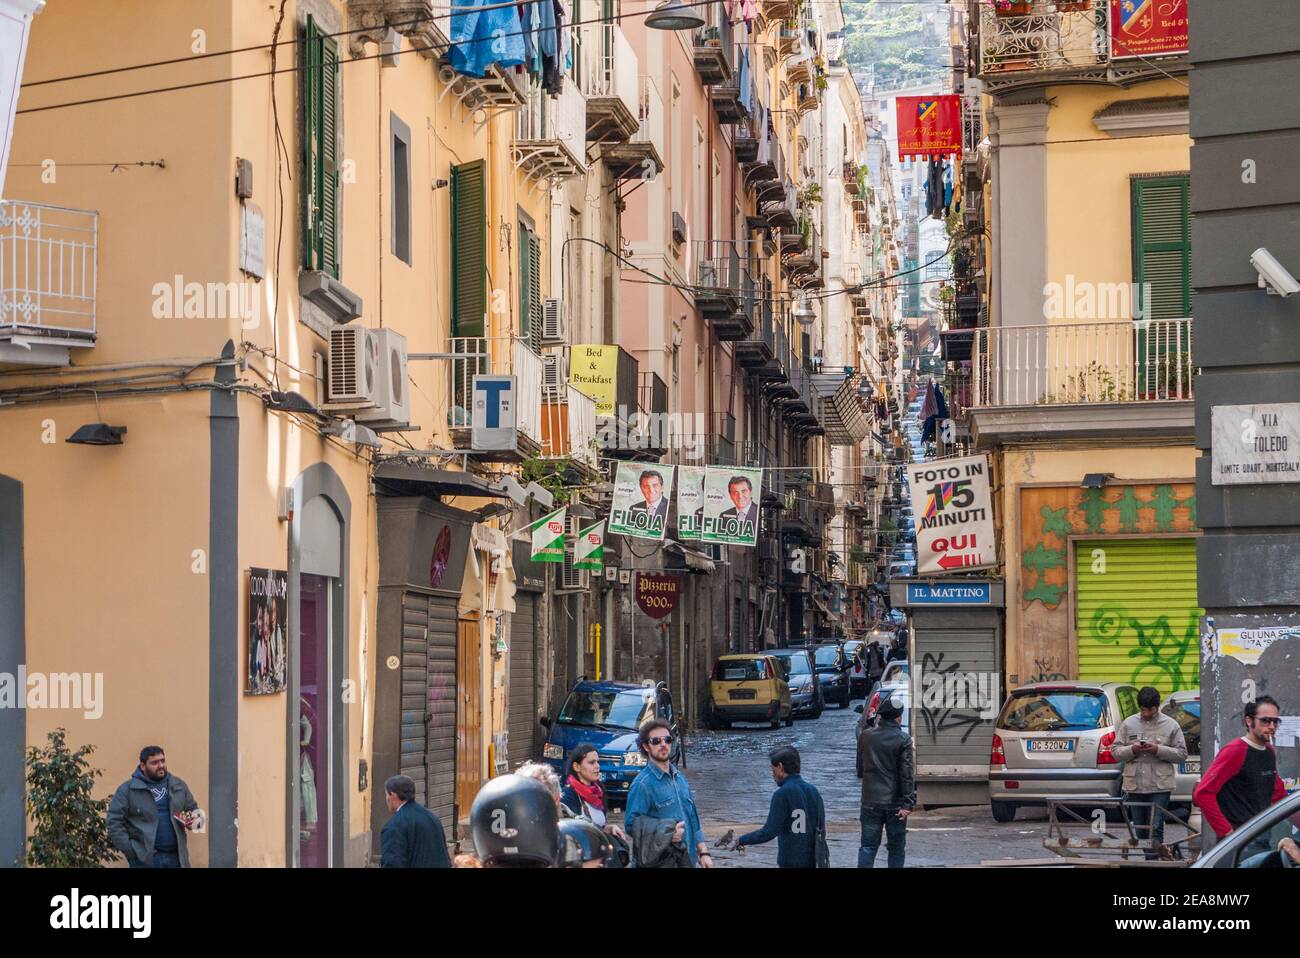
955	515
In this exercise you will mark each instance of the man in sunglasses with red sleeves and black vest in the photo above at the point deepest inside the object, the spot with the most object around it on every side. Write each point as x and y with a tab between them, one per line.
1243	781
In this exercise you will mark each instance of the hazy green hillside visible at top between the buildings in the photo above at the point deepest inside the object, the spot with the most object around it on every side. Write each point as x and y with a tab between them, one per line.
894	44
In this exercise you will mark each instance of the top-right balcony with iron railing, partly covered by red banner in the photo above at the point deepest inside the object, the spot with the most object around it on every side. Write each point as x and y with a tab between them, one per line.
1059	42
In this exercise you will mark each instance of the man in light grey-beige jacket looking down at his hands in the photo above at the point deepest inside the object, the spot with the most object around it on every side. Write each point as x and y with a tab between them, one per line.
1151	745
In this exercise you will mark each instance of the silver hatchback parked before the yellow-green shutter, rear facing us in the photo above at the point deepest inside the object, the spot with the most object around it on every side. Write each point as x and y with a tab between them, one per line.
1054	739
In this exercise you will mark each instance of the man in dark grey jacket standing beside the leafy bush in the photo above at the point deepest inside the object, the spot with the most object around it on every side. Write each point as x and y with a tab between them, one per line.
151	814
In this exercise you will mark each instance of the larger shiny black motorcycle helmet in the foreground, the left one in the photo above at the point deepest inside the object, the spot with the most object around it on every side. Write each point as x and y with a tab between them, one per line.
515	823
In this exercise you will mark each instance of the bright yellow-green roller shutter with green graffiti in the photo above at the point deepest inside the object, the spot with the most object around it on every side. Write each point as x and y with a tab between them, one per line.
1137	617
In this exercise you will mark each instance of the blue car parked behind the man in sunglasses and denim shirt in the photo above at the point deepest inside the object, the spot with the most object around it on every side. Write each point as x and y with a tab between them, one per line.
608	714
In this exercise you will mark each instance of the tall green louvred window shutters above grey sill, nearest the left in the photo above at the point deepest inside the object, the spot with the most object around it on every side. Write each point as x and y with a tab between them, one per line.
320	151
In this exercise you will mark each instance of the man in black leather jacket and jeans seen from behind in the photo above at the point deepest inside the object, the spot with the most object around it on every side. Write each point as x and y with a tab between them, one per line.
889	786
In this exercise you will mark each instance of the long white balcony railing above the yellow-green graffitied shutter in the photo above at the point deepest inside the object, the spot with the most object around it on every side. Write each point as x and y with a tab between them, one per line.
1147	361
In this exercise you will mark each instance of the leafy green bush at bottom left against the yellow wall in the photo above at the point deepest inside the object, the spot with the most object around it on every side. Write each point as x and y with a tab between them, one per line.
68	822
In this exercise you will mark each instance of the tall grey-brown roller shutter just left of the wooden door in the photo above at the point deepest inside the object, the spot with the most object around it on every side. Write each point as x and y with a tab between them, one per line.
430	701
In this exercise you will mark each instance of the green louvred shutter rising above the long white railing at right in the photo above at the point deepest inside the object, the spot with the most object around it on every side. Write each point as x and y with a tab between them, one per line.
1163	245
